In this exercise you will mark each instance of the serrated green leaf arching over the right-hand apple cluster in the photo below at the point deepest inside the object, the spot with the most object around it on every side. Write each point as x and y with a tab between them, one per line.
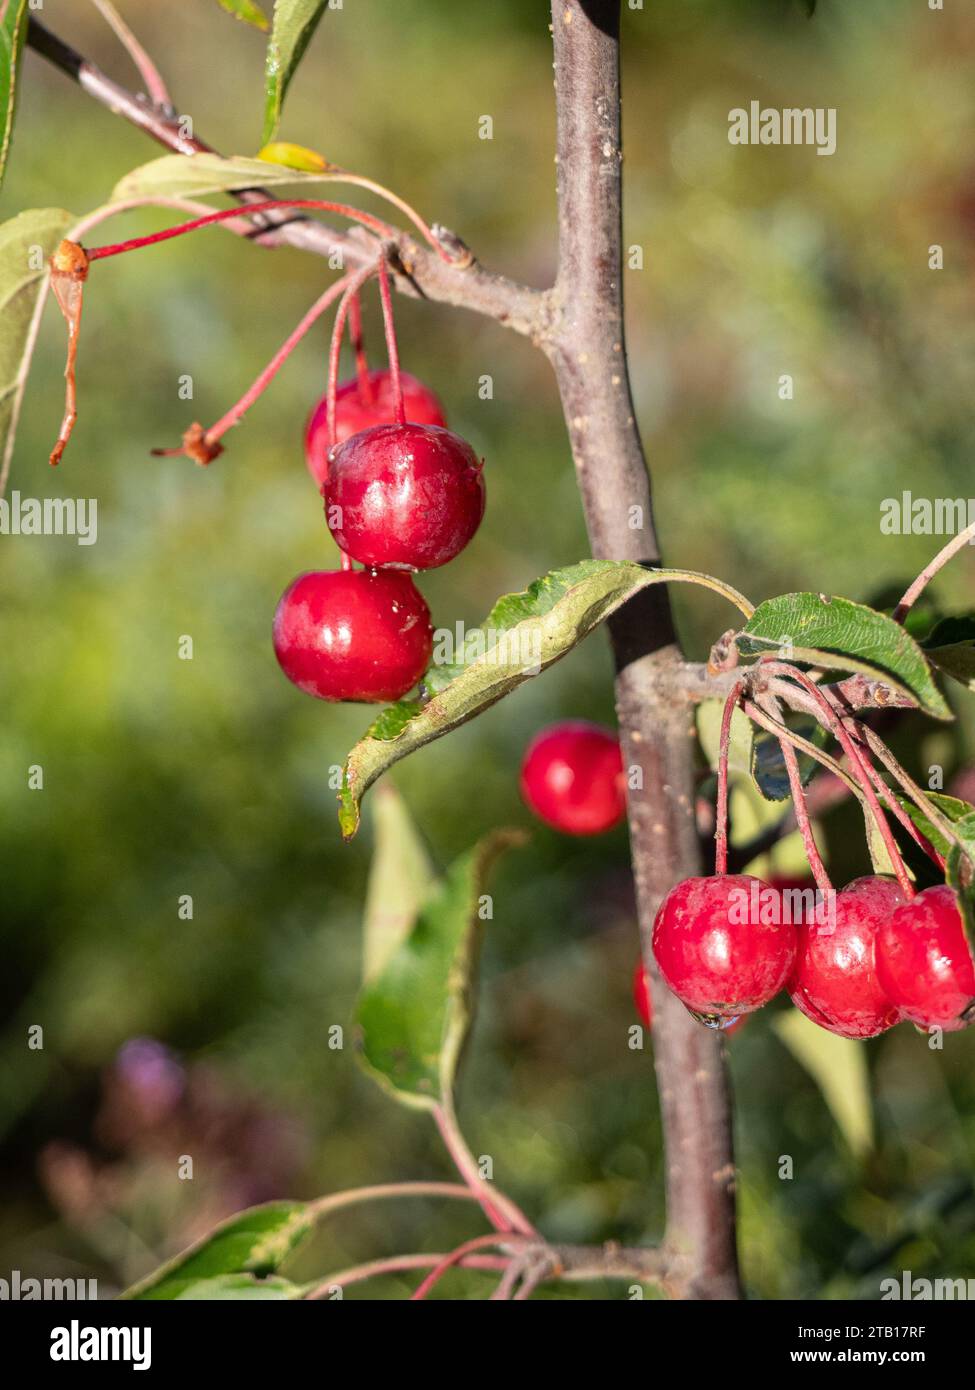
838	635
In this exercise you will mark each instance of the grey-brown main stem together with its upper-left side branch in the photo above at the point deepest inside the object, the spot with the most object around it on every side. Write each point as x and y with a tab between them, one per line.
581	327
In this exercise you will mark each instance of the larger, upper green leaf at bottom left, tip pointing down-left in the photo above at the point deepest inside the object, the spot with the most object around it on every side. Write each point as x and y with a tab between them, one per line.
254	1243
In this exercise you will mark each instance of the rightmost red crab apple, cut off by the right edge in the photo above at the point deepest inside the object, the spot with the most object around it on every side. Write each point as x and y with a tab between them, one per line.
924	961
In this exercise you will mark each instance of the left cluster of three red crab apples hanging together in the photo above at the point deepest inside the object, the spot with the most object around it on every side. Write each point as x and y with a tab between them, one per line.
401	496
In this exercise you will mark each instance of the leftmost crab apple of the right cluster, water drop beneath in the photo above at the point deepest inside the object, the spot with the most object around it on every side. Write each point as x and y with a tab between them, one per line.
716	958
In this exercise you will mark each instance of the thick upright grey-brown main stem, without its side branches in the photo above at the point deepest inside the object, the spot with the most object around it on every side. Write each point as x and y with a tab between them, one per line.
589	354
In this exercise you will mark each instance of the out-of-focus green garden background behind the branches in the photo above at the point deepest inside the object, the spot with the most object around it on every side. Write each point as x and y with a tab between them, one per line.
211	778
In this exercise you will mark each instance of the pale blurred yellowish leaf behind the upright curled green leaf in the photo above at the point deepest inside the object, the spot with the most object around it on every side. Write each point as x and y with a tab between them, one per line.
400	879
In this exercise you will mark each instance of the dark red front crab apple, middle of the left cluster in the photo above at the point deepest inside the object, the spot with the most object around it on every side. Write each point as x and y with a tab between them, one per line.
404	497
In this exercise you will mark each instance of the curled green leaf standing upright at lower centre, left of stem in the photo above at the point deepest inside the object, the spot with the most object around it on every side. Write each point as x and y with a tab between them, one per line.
415	1015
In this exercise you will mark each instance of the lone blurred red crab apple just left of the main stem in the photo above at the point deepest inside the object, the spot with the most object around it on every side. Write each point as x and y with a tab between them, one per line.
572	778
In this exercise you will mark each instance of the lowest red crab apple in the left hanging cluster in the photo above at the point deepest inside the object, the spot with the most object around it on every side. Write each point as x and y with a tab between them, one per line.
354	635
